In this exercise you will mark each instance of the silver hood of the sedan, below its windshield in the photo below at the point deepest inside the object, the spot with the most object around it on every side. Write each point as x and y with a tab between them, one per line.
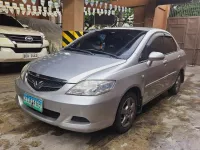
72	66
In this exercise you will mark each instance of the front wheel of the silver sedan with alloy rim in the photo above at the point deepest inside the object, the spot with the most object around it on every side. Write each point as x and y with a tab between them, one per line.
126	113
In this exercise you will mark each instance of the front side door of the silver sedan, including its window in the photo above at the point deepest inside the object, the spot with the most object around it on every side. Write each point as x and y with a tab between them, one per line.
154	75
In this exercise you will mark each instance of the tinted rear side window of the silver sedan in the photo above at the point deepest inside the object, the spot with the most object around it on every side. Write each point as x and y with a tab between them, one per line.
169	45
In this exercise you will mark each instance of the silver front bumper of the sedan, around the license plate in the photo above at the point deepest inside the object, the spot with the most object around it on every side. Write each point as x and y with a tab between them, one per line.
100	110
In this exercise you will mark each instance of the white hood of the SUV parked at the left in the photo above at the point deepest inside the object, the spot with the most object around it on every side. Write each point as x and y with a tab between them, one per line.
18	31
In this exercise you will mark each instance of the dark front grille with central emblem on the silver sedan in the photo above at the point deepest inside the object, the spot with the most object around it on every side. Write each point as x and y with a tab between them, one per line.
44	83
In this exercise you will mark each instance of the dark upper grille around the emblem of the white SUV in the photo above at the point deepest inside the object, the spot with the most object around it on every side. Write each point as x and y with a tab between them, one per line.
22	38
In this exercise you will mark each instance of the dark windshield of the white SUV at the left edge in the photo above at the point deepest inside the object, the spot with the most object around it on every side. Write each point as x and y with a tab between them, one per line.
9	21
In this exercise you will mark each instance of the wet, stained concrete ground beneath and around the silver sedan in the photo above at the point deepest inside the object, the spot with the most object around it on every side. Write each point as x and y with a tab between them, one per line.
167	123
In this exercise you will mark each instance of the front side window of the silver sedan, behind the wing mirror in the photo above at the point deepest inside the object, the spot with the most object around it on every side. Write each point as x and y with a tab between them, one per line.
154	45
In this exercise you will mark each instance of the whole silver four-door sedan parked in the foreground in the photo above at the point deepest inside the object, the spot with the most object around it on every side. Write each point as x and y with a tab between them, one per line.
102	79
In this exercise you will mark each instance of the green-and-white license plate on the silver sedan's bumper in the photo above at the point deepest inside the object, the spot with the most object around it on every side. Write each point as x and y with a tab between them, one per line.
33	102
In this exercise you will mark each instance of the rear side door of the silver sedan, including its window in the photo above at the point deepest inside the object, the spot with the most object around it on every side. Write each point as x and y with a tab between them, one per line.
172	58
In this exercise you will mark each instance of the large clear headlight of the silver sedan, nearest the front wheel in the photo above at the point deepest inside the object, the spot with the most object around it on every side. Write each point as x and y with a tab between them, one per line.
91	88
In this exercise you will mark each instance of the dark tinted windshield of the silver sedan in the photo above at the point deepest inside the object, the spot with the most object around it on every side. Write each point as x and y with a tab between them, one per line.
118	43
